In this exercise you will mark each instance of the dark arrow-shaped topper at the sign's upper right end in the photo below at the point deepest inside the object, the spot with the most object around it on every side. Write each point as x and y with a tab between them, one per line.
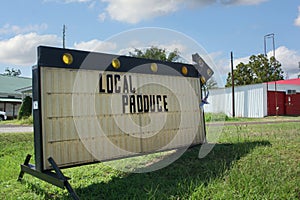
204	70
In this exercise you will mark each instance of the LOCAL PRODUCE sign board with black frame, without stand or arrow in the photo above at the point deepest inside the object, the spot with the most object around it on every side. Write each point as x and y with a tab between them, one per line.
89	111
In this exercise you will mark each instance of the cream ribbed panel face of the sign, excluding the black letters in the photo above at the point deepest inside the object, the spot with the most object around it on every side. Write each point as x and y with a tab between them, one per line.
81	125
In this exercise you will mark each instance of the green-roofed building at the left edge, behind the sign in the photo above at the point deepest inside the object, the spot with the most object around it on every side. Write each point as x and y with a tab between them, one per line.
11	95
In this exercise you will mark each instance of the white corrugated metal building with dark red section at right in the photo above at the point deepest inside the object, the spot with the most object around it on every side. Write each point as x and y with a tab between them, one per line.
257	100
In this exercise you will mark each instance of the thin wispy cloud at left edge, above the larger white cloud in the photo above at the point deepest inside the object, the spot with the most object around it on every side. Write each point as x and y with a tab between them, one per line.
15	30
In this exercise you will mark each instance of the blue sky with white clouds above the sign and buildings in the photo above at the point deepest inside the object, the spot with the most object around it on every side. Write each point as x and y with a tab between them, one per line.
219	26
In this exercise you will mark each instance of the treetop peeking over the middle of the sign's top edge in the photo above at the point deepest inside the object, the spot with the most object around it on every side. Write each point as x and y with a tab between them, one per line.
156	53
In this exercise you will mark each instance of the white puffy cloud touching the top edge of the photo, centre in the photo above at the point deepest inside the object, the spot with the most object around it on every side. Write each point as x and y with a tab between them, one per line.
135	11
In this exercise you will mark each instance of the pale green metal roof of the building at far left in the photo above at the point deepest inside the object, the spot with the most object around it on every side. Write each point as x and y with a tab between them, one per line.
9	84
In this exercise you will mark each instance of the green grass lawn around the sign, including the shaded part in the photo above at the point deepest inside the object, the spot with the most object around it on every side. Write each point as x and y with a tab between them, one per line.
248	162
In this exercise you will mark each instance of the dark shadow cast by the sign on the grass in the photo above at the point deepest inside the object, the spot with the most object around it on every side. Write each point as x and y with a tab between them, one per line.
179	179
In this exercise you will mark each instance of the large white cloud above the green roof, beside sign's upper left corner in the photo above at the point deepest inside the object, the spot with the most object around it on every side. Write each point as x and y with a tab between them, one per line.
21	49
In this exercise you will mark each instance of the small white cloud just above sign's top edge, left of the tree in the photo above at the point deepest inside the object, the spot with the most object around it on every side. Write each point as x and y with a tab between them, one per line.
96	45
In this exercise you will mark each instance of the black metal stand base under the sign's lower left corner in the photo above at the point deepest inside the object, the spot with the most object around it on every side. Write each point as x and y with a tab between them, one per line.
57	178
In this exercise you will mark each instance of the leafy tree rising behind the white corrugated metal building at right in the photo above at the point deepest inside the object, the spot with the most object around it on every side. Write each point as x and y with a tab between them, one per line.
259	69
